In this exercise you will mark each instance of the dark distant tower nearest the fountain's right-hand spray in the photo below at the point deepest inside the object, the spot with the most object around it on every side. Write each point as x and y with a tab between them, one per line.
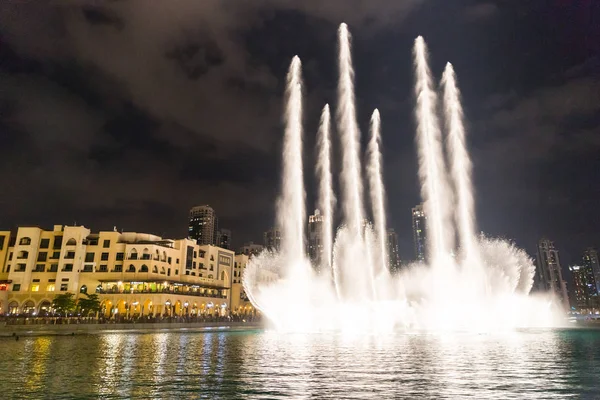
548	274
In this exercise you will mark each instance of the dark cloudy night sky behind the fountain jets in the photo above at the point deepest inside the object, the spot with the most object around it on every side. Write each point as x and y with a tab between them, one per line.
127	113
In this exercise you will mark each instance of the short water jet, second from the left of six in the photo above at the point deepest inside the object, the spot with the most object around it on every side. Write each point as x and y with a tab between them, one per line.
326	198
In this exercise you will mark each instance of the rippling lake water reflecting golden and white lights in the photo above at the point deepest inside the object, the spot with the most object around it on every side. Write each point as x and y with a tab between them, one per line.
218	364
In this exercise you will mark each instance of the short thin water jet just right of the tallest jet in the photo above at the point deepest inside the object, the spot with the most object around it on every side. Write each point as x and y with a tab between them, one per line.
376	190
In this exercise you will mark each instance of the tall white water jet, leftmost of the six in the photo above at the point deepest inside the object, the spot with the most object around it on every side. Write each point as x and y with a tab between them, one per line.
291	211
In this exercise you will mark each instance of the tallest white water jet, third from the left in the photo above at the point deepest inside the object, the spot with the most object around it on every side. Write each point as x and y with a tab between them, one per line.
350	137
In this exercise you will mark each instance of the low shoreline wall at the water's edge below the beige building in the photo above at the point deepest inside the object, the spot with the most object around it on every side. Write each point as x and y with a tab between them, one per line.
83	329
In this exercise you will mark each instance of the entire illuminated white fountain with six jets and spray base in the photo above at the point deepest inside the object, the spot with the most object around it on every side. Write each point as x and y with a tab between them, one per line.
476	284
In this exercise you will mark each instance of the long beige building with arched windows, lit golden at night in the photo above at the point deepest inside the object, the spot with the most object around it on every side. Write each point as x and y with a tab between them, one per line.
134	274
